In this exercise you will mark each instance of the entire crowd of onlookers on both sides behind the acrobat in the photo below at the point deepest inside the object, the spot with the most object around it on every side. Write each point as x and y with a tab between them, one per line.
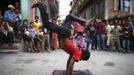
110	35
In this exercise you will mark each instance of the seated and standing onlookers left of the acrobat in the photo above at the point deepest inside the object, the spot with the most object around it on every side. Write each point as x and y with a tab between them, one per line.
34	36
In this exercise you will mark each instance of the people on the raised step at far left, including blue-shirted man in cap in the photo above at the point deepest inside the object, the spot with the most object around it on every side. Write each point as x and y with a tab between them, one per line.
9	25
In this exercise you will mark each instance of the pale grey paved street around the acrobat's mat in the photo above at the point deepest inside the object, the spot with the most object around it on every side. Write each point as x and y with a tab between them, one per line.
101	63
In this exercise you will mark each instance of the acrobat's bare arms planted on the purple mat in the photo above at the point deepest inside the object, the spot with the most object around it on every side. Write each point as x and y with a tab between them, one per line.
70	65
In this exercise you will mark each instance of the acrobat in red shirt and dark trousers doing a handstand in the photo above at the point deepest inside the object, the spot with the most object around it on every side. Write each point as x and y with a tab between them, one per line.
64	32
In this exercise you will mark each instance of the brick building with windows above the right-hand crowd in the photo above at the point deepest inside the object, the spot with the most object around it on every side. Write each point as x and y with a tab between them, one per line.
105	9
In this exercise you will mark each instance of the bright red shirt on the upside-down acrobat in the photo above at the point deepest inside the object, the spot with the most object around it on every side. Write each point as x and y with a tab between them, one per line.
71	49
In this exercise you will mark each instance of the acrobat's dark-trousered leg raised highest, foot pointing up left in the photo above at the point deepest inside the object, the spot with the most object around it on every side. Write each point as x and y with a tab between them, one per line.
62	31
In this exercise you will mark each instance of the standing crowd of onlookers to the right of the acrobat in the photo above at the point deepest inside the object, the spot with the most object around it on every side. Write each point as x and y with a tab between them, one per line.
109	35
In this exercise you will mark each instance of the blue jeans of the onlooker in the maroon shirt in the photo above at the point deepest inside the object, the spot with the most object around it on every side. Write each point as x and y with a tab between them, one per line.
101	41
